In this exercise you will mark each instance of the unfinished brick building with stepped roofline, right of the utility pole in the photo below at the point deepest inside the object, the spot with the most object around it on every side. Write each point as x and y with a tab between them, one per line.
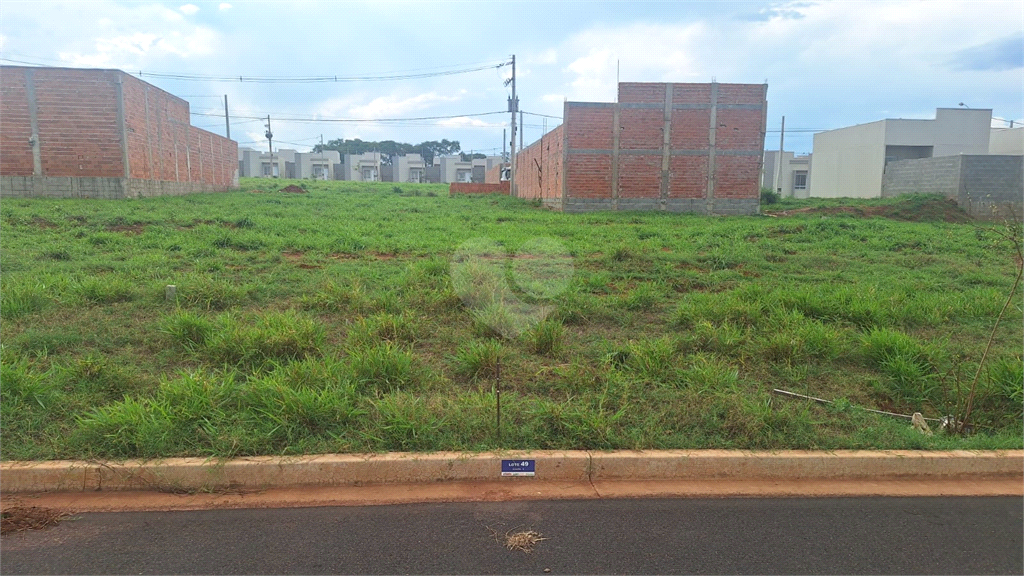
685	148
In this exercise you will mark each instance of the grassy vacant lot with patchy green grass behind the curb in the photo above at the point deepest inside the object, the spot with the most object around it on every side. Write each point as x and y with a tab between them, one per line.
329	322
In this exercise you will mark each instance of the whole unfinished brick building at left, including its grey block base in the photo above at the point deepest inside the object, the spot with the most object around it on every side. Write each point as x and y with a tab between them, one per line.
102	134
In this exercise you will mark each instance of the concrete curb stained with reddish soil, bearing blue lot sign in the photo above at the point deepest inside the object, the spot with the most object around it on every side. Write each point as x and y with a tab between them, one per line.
201	475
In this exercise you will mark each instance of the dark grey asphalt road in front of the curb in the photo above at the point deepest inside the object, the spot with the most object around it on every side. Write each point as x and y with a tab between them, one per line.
649	537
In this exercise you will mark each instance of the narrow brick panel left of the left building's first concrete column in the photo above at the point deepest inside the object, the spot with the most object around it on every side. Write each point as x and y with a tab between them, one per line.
16	129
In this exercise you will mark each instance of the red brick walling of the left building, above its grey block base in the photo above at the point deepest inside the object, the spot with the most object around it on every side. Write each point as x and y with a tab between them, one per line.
77	113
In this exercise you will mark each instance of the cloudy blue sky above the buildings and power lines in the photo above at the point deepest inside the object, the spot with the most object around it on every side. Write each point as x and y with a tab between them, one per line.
828	64
